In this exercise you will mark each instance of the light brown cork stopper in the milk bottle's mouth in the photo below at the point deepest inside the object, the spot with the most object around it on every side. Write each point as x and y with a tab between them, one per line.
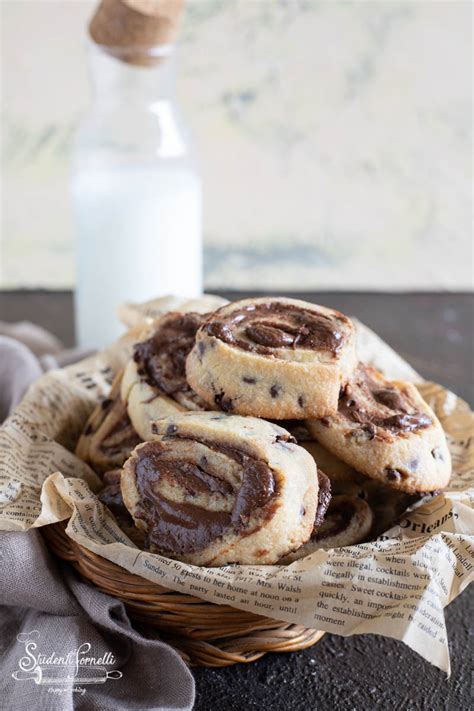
134	30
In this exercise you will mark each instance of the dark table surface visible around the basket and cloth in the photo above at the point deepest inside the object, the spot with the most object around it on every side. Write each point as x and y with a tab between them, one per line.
434	333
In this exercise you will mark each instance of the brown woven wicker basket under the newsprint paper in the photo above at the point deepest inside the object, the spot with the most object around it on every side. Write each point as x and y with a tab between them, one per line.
205	634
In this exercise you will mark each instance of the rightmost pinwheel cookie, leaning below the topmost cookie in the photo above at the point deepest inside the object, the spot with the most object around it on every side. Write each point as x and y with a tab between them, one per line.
385	430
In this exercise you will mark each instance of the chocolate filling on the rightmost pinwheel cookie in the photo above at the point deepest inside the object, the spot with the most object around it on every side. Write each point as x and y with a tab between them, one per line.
374	404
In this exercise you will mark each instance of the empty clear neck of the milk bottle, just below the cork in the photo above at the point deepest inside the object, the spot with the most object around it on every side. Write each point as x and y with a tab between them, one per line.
117	81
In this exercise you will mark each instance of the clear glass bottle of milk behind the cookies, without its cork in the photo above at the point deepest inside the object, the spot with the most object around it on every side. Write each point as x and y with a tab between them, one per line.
136	193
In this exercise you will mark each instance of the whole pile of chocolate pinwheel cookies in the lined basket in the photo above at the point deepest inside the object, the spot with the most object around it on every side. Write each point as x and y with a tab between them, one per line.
254	435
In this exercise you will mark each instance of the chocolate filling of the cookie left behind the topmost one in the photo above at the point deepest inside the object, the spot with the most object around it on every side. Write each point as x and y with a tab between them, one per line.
161	359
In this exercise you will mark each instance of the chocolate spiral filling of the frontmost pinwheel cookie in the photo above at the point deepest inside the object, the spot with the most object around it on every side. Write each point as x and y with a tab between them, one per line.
185	501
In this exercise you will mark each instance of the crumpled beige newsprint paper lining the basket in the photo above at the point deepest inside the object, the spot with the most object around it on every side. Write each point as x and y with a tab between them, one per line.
396	586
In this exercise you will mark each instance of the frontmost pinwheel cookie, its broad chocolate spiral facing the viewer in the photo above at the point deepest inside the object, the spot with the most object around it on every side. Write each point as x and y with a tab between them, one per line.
212	489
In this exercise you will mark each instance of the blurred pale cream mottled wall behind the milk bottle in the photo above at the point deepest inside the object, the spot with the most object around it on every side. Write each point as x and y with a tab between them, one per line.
335	140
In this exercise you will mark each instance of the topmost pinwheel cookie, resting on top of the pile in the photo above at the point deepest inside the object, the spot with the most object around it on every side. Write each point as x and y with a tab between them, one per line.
272	357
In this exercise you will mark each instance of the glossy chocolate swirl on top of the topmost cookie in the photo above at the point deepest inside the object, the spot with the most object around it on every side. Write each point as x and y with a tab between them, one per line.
264	327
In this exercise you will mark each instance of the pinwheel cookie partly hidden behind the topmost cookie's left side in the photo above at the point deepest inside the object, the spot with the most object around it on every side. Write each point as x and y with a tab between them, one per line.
154	383
